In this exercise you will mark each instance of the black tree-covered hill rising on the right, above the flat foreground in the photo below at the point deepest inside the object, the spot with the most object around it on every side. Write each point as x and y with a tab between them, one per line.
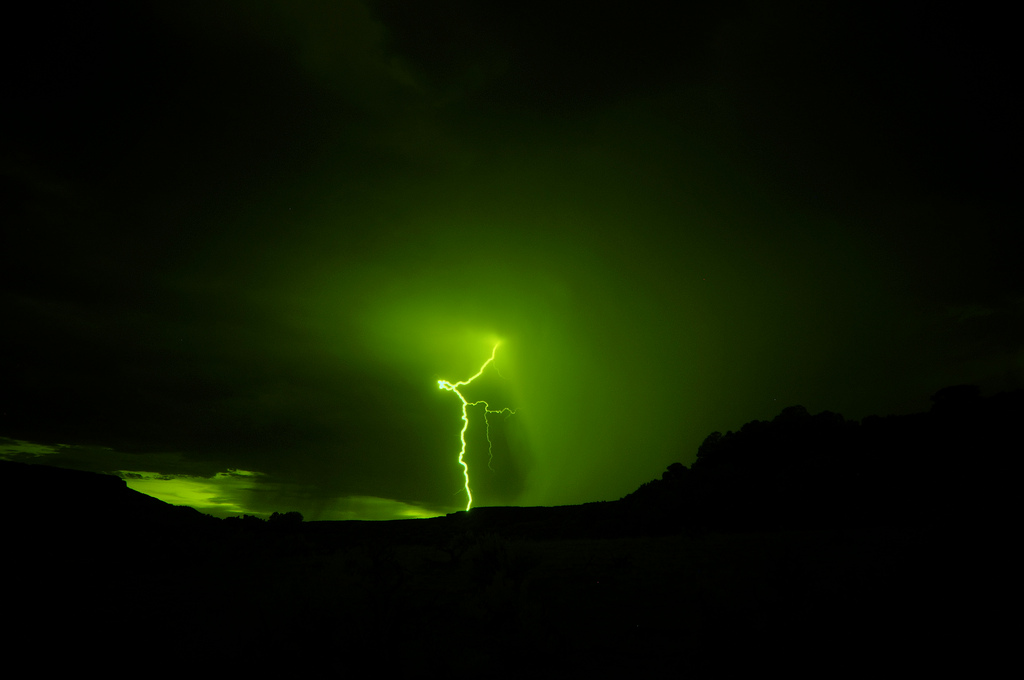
804	472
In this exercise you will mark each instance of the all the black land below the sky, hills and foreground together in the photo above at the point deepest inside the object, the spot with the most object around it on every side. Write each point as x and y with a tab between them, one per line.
790	541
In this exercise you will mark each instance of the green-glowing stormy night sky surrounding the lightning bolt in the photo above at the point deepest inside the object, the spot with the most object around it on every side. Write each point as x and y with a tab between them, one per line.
243	240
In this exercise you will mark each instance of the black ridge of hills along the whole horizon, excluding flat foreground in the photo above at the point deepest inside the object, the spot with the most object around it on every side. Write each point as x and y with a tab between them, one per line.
796	472
